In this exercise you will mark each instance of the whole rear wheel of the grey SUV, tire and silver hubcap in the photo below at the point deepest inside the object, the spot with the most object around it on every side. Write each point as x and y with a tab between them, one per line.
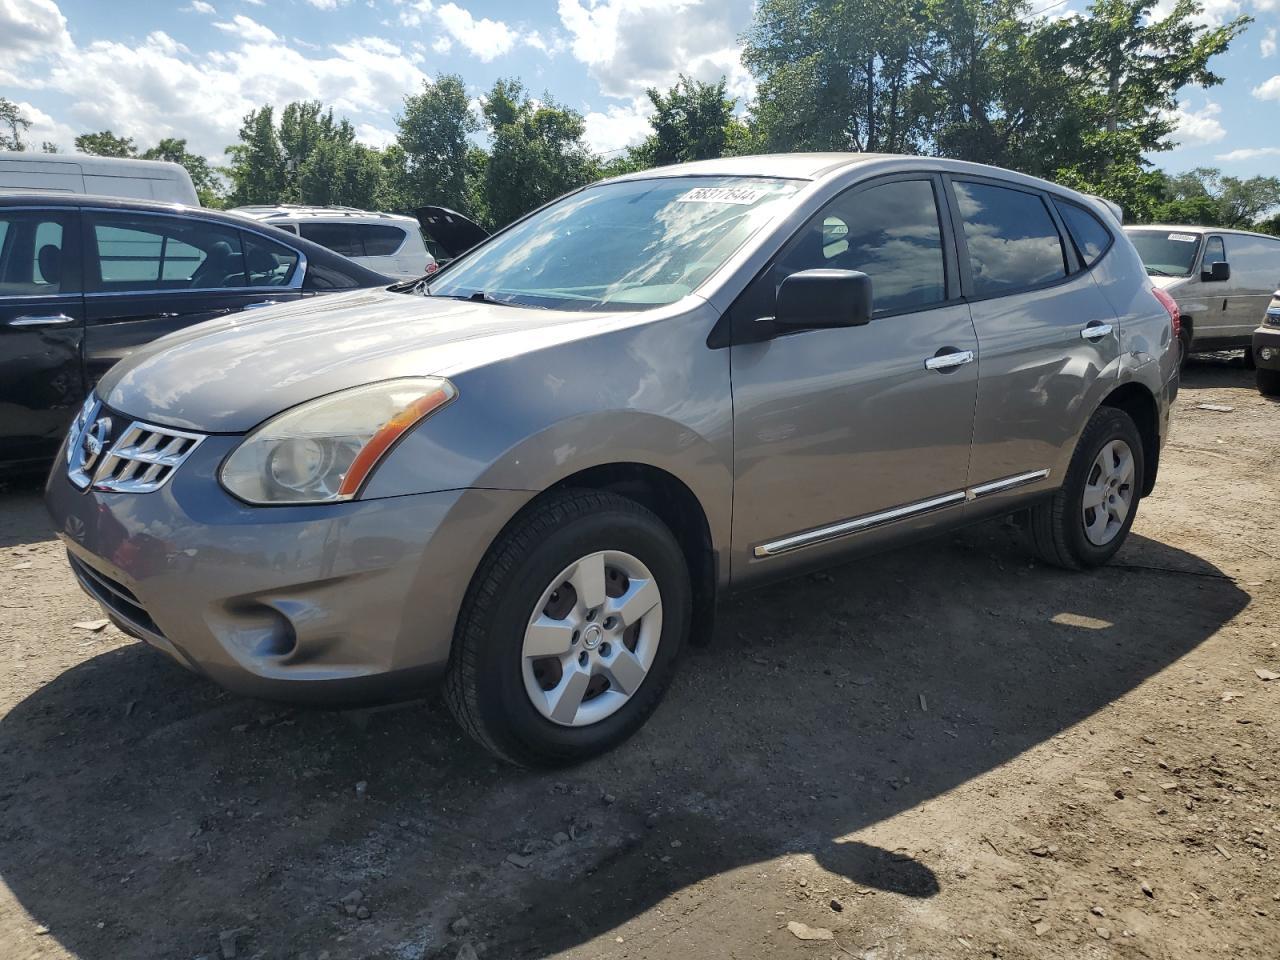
1089	519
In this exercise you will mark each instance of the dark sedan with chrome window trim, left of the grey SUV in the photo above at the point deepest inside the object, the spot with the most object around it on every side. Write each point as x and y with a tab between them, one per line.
86	281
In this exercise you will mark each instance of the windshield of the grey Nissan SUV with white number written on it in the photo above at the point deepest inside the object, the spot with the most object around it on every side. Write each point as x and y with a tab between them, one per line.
620	246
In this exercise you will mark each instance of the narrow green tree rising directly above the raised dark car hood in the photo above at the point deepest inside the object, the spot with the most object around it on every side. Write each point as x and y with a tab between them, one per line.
435	136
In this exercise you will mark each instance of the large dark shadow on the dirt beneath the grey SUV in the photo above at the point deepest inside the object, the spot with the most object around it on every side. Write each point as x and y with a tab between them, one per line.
143	811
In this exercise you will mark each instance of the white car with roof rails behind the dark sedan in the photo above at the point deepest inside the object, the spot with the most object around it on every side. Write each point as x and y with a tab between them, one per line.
388	244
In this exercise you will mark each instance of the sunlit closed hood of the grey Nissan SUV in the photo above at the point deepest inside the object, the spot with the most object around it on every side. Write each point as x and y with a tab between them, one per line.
231	374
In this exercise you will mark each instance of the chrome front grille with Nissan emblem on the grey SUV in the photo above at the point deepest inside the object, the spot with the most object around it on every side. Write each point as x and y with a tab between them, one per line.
140	459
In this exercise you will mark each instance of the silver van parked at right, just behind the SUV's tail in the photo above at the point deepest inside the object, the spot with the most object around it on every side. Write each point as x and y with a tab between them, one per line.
1222	281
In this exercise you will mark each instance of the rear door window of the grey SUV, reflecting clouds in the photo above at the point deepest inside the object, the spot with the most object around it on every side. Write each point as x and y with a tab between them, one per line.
1012	239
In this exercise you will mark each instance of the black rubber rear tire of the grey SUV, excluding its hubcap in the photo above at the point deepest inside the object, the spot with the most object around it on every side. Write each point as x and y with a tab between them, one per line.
1057	525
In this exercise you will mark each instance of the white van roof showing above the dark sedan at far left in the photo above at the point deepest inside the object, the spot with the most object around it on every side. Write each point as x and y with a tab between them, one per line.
100	176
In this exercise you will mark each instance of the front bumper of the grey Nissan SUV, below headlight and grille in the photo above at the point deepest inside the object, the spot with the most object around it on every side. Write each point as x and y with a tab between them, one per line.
340	604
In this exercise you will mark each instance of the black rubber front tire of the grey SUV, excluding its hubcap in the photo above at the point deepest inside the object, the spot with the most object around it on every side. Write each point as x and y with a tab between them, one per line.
484	688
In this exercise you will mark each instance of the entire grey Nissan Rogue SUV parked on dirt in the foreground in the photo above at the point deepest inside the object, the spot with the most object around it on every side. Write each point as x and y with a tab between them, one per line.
534	473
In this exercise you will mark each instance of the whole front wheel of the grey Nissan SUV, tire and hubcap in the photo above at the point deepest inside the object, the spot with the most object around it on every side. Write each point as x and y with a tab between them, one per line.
570	630
